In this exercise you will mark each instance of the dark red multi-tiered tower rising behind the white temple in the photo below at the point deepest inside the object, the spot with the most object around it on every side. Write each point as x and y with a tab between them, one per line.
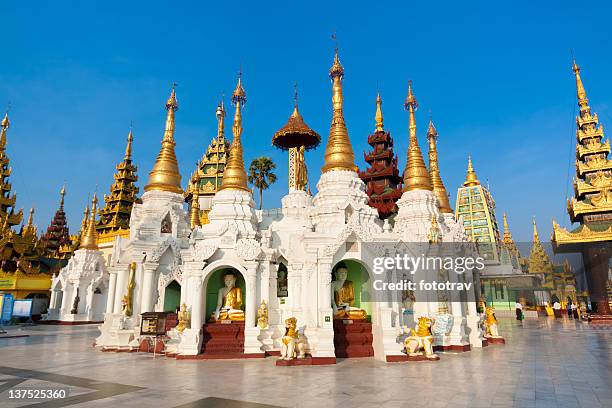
382	178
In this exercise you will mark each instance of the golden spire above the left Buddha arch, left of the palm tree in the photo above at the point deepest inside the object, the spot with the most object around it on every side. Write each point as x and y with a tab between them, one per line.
234	175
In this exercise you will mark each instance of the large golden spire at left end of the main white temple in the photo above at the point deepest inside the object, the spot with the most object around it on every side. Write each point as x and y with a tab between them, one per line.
165	175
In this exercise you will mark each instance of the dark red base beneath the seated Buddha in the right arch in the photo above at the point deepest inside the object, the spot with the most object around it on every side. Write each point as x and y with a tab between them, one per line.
353	338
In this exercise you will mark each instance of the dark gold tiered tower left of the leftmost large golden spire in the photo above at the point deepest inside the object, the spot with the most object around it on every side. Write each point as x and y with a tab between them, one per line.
115	216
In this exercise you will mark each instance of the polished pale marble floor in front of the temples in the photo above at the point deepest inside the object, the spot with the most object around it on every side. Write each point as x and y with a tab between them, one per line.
545	363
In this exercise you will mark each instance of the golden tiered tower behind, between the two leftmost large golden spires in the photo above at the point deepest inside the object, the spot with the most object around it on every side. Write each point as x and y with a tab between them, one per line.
208	176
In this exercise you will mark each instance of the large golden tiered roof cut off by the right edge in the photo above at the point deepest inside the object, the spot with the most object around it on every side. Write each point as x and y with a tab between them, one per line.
591	205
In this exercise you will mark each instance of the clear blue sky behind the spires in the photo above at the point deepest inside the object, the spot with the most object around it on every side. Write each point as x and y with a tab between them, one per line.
496	77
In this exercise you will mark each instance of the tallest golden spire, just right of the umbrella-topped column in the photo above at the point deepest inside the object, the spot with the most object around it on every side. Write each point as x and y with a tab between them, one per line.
338	152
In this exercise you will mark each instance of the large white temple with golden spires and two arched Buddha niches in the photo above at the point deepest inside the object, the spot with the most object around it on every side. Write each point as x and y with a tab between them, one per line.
287	258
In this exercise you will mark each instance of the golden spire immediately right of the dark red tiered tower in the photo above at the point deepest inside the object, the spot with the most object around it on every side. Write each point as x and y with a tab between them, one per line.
416	176
